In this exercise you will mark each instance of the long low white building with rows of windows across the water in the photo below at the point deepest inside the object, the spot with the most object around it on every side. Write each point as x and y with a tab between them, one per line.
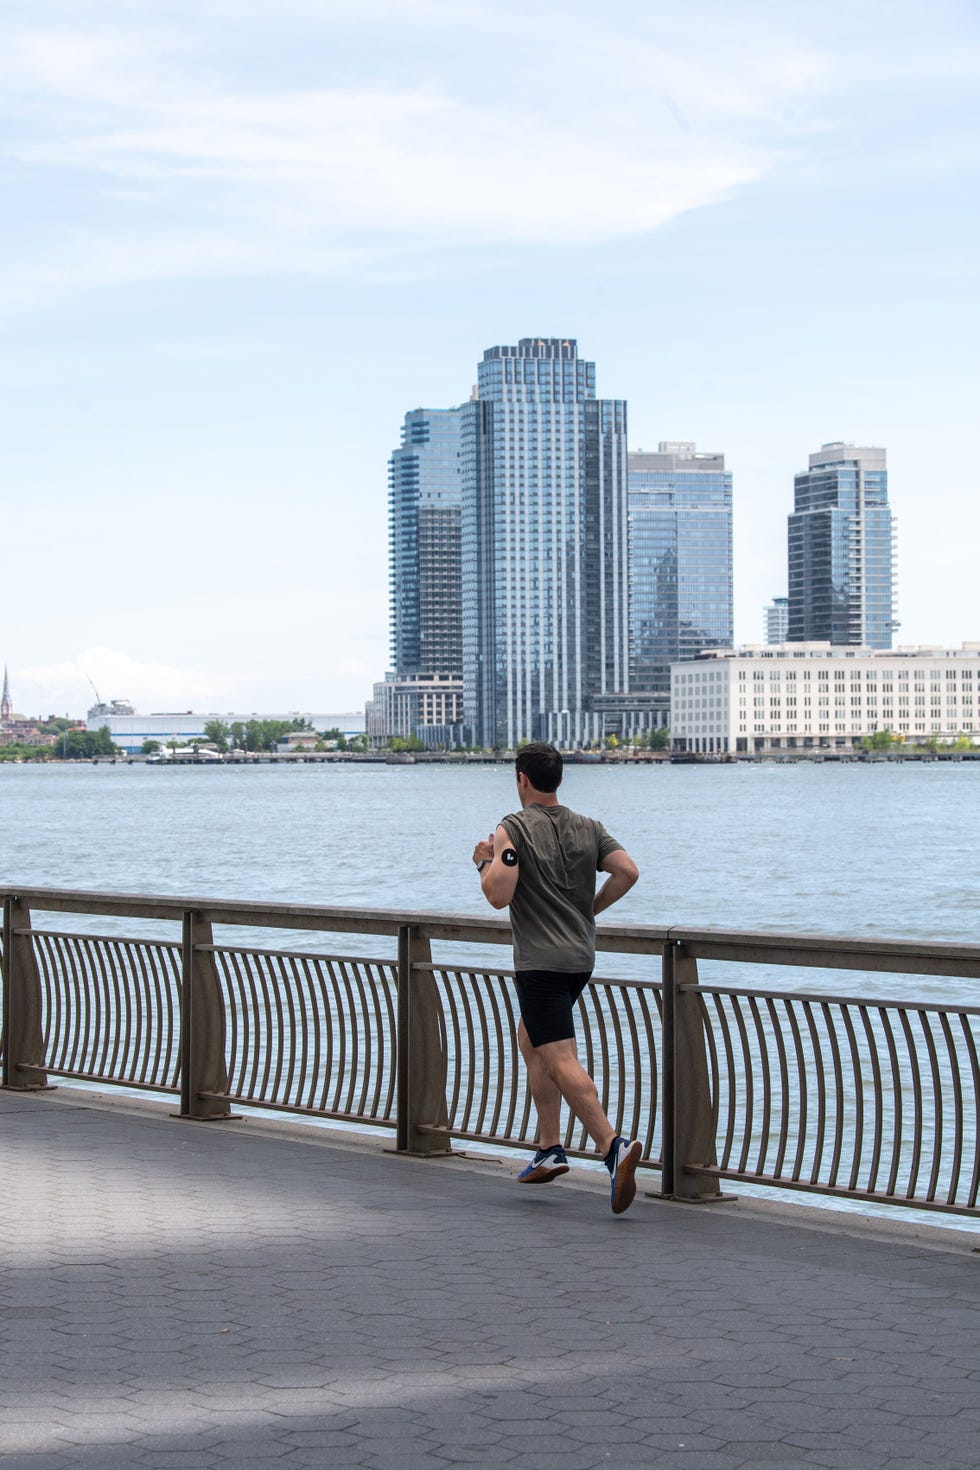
821	698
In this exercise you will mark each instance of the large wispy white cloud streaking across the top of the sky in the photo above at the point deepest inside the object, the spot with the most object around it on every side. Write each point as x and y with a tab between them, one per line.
189	170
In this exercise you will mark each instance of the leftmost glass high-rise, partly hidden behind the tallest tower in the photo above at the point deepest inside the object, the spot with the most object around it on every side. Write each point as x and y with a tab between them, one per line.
424	520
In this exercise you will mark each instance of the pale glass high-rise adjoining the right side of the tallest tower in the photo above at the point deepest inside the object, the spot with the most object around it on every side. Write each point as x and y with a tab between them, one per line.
681	561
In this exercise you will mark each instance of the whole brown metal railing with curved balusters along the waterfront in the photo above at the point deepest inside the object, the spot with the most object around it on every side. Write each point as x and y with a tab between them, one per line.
849	1096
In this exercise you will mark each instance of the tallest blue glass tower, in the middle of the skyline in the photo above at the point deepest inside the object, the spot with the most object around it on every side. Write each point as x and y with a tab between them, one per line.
544	546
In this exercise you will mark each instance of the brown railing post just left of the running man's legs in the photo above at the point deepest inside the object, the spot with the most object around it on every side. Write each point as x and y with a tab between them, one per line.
422	1121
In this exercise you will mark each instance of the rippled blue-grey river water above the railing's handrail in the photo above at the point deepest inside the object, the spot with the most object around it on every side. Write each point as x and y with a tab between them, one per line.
854	849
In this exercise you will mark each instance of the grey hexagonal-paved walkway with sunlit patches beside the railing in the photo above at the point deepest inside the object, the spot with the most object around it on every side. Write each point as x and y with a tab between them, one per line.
249	1294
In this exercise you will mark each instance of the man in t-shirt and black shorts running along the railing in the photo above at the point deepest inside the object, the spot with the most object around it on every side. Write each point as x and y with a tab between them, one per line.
543	864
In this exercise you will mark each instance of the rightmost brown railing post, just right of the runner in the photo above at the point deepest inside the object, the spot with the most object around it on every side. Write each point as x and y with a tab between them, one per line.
688	1115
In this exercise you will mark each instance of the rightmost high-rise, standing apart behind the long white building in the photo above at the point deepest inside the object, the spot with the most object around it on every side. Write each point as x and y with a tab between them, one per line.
841	551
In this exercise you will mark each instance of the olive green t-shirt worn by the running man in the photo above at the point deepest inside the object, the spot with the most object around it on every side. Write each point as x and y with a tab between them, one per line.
552	911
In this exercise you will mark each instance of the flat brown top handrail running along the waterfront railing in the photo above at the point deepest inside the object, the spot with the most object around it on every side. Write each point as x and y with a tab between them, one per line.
741	946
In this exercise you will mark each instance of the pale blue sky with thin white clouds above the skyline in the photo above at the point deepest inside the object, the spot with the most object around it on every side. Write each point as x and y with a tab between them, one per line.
240	240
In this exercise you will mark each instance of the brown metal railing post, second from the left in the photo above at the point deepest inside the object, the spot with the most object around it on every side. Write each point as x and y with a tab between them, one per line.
203	1066
